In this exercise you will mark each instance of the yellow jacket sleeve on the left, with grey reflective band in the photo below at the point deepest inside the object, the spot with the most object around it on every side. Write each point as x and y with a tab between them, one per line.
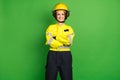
51	41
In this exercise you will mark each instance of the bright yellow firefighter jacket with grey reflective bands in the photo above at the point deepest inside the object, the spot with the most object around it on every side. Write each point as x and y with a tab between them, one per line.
59	38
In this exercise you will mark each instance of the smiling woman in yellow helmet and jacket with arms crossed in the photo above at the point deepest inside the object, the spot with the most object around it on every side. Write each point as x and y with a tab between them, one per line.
59	37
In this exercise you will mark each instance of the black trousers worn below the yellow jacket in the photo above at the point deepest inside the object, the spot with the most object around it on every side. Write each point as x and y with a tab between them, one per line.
59	61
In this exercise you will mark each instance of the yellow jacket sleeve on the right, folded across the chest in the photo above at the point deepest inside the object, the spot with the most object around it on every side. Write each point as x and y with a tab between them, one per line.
66	39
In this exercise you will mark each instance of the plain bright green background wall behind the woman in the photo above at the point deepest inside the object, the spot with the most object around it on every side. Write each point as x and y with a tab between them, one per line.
96	48
